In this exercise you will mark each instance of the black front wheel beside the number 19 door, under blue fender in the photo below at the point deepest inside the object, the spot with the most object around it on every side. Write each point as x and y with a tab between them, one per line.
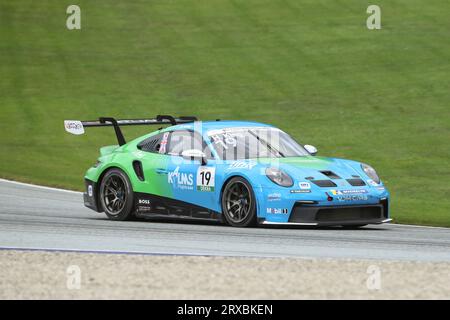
239	203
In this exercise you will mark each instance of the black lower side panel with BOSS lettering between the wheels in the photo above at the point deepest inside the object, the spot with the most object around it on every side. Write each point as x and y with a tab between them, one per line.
152	206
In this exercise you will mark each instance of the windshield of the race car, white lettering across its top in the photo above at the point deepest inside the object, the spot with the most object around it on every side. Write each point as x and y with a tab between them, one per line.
254	142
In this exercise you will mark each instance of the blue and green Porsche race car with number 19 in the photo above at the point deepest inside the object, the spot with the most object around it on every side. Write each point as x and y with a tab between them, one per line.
237	172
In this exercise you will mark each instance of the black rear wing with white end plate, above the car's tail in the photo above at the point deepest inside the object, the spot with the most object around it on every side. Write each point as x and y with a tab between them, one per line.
77	127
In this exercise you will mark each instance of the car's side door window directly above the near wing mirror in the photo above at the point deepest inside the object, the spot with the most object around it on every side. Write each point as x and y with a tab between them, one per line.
185	140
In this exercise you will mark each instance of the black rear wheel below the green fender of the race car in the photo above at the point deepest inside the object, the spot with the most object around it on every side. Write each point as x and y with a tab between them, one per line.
116	195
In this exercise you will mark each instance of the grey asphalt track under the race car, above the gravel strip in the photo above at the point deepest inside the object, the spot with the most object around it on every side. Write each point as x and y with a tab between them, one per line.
48	219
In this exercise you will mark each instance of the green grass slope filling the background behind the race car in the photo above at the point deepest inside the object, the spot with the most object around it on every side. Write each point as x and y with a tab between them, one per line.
310	67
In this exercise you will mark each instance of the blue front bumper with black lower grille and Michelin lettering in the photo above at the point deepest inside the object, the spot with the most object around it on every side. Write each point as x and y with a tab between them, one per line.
323	208
